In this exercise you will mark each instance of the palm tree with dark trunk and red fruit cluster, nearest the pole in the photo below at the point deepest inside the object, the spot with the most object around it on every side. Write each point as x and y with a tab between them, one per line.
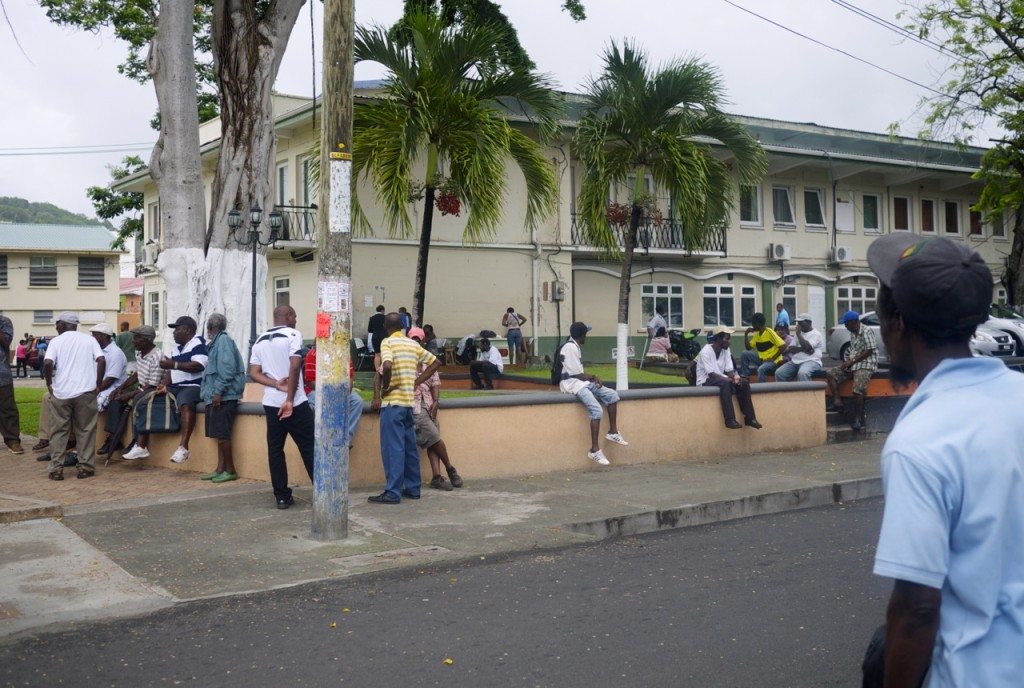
446	100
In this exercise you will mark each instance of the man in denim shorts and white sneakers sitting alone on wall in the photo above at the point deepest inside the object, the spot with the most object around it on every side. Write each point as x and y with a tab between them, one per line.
590	392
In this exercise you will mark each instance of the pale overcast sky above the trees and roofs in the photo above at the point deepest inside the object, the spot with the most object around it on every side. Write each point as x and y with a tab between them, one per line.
68	92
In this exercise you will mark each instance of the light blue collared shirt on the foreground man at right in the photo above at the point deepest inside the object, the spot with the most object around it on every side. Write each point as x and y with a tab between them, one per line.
954	477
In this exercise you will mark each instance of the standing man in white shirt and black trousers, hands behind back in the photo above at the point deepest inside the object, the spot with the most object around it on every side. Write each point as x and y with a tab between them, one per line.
276	363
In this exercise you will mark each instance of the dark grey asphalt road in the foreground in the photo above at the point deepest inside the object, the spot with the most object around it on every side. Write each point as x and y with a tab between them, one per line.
785	600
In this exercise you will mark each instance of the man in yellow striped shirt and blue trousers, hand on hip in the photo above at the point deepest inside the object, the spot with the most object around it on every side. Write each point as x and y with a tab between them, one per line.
394	388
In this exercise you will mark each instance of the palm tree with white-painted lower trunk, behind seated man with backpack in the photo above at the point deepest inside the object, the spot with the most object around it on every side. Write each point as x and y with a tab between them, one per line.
666	124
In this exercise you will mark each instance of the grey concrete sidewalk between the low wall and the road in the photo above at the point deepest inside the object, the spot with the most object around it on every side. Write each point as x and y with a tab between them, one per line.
116	558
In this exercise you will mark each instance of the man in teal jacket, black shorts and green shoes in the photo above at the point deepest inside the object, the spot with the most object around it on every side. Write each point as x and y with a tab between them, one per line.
224	383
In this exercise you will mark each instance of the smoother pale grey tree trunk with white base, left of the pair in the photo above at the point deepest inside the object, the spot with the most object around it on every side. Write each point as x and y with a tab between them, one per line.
176	165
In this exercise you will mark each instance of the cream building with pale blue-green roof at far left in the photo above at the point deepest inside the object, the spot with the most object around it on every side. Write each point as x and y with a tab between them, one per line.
47	269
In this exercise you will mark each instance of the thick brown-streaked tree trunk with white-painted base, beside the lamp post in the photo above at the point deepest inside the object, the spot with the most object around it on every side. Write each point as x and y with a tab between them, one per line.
247	54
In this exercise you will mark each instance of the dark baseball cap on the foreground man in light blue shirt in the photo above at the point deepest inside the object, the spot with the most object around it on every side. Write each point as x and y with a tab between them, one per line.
940	286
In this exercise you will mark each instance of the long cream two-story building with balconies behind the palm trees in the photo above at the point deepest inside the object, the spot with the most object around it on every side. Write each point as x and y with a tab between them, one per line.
799	238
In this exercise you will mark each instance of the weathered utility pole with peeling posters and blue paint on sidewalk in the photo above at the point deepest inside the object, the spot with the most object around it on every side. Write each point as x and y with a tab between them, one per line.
334	276
